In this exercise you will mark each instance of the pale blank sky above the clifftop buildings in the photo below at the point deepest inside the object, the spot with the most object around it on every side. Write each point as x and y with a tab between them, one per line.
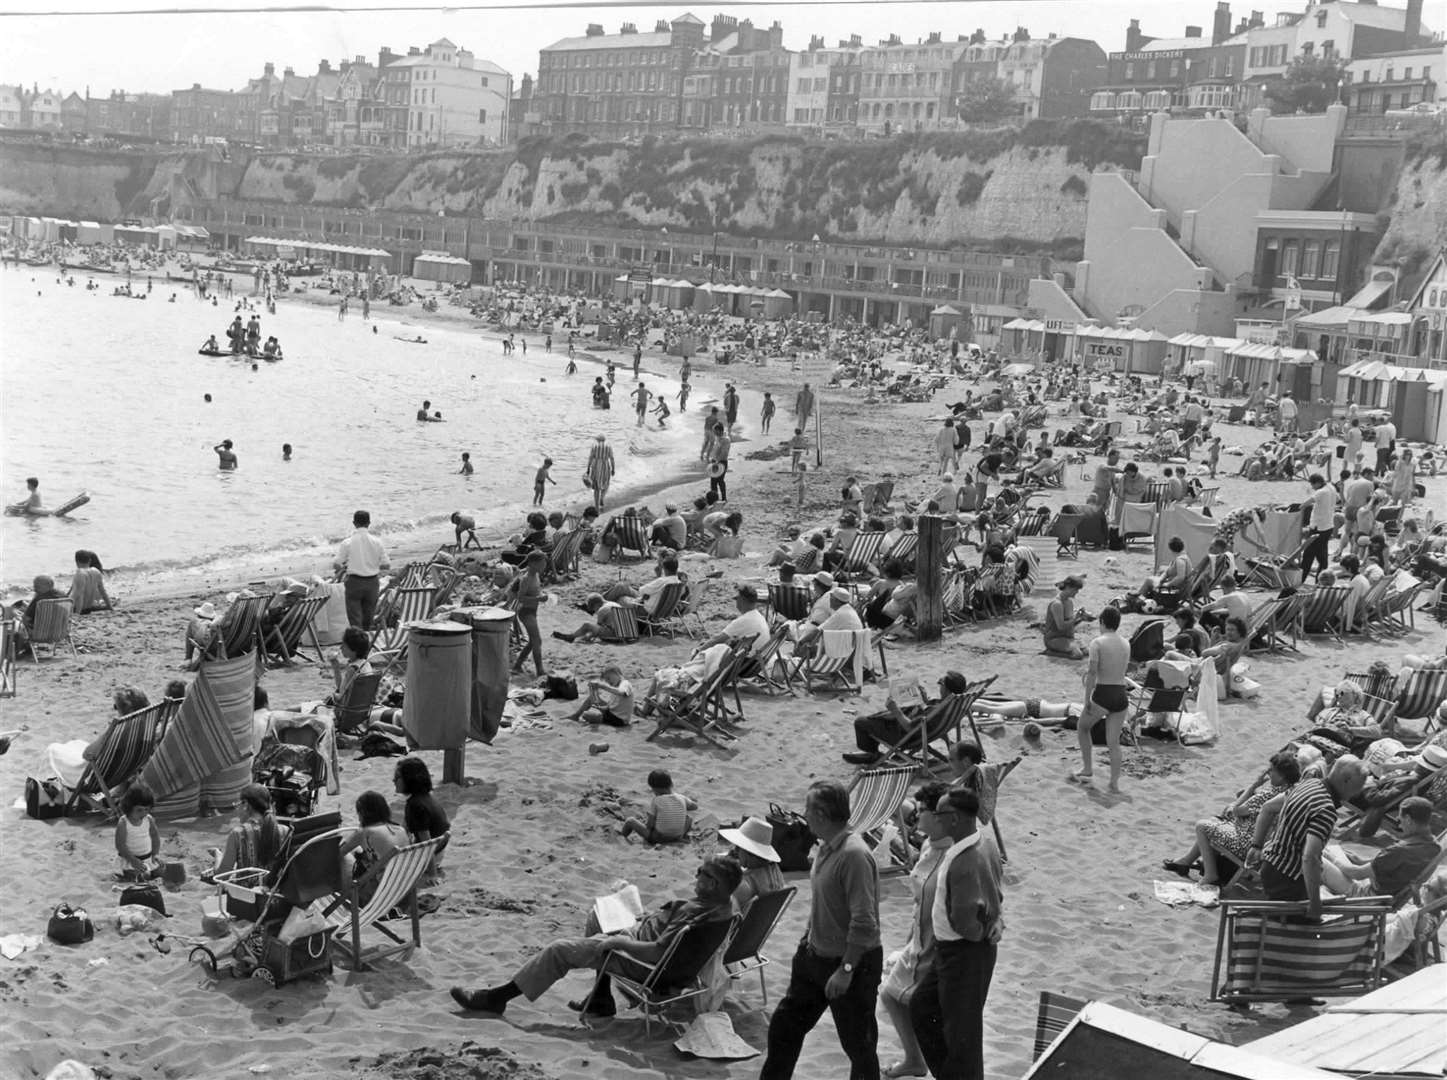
80	44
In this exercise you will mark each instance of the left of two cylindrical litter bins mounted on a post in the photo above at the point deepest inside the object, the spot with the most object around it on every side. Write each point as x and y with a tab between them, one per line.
439	677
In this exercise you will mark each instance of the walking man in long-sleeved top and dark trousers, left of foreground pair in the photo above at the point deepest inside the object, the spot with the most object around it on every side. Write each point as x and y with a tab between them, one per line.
840	959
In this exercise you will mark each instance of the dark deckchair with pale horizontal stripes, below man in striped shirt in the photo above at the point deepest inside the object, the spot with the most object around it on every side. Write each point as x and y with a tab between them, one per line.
1267	952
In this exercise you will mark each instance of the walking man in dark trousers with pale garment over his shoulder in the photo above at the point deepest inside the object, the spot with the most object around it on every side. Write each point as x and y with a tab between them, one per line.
960	920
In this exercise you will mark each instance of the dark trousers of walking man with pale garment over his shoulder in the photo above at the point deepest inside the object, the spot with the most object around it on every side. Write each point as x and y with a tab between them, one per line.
949	1010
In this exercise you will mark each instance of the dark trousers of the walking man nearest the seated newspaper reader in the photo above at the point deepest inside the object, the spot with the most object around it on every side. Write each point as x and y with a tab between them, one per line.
805	1003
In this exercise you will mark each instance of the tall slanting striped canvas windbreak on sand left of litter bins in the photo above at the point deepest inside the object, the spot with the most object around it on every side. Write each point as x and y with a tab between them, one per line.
203	755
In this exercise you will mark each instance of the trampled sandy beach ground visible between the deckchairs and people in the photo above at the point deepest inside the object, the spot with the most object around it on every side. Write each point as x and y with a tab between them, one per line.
535	827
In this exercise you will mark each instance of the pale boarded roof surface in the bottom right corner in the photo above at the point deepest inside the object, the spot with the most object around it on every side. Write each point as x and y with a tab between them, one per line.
1396	1032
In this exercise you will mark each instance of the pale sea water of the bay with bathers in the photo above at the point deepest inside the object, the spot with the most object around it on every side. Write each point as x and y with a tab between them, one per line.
108	396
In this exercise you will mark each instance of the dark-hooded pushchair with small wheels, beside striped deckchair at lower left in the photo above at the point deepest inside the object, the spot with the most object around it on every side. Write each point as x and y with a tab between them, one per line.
260	903
